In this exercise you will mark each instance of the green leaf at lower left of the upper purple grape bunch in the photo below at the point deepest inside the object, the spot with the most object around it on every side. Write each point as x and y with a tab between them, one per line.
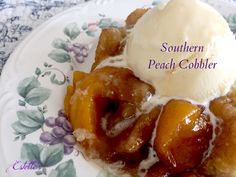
60	56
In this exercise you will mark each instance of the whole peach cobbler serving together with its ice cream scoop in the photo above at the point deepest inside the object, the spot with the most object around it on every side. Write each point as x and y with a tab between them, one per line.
159	123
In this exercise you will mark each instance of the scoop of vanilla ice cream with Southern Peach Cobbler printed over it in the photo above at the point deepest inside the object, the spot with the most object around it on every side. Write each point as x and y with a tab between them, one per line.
178	22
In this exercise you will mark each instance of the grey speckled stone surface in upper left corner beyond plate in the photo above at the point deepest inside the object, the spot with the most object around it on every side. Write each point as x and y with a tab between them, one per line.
19	17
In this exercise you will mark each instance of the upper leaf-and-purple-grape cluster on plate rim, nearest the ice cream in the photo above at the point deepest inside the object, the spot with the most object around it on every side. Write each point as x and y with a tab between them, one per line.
66	49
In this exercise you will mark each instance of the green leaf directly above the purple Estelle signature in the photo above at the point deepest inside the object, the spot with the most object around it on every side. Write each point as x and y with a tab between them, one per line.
31	151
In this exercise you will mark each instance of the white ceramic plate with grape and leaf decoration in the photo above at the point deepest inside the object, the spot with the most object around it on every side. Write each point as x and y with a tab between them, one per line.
34	81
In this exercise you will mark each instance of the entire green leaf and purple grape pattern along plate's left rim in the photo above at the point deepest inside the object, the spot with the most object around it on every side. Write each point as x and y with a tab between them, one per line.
57	141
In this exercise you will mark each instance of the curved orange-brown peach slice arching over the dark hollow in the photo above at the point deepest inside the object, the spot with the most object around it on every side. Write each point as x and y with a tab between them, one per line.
93	95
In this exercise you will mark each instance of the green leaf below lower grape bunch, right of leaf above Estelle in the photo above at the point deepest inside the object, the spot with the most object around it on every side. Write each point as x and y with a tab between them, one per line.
51	155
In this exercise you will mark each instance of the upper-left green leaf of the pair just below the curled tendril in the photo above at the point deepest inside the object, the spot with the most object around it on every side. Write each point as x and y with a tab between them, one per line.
26	85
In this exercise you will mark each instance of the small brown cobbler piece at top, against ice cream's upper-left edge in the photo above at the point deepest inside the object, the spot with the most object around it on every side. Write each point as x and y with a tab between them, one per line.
134	17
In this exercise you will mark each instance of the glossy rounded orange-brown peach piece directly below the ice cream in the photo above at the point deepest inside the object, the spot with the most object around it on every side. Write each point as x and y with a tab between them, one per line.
182	136
